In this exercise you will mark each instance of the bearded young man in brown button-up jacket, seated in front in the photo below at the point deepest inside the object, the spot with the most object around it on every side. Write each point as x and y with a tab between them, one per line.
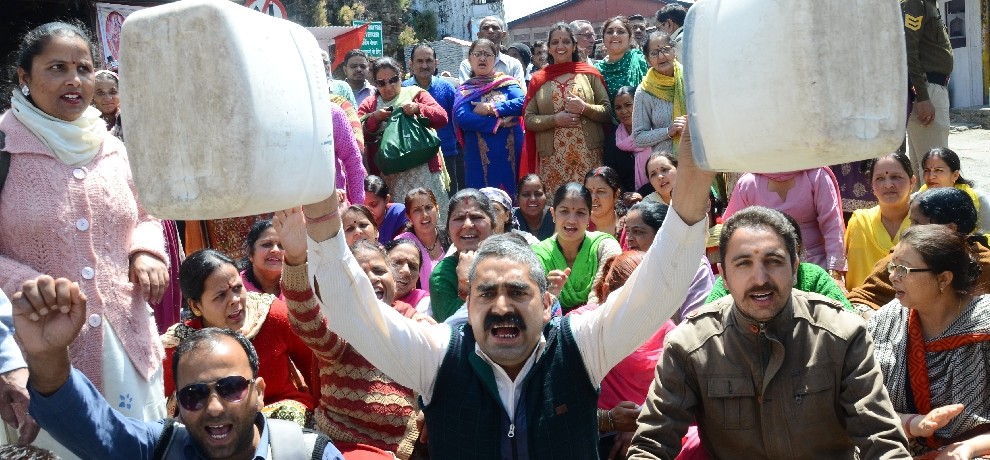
769	371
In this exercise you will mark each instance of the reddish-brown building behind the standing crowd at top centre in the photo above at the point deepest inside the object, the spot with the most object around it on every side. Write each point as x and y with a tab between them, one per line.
535	26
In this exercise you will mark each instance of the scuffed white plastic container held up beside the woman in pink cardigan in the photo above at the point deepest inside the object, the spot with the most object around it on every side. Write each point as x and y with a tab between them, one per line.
226	111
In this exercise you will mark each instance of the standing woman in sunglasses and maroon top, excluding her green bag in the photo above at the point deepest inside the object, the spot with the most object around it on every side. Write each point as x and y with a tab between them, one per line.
375	112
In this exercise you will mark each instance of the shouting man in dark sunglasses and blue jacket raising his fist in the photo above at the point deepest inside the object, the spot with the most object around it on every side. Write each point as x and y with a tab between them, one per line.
216	370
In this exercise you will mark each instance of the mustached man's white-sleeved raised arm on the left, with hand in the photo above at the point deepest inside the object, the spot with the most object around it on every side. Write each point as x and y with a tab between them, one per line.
408	351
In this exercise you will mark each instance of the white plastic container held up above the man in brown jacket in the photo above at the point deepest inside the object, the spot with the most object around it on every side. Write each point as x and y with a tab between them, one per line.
786	86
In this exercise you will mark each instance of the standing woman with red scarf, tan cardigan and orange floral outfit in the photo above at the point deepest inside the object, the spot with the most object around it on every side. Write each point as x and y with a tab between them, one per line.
566	108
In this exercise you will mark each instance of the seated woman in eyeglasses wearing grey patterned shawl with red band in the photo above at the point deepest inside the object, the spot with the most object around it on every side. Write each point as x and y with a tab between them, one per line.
932	343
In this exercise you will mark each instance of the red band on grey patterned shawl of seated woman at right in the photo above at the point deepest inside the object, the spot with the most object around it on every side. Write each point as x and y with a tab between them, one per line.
918	367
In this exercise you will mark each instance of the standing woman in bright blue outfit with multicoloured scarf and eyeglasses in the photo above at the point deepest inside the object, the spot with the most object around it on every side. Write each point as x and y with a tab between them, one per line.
486	121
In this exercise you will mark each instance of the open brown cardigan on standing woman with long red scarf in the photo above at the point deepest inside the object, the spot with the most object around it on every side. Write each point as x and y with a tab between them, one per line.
597	117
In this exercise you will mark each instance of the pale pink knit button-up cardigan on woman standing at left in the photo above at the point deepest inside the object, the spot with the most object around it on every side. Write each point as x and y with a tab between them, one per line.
83	224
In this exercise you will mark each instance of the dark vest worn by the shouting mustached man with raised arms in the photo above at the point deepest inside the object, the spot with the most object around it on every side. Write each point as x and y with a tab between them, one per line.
556	417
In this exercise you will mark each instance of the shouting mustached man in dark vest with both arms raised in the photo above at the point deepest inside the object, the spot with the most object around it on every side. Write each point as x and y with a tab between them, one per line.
512	382
